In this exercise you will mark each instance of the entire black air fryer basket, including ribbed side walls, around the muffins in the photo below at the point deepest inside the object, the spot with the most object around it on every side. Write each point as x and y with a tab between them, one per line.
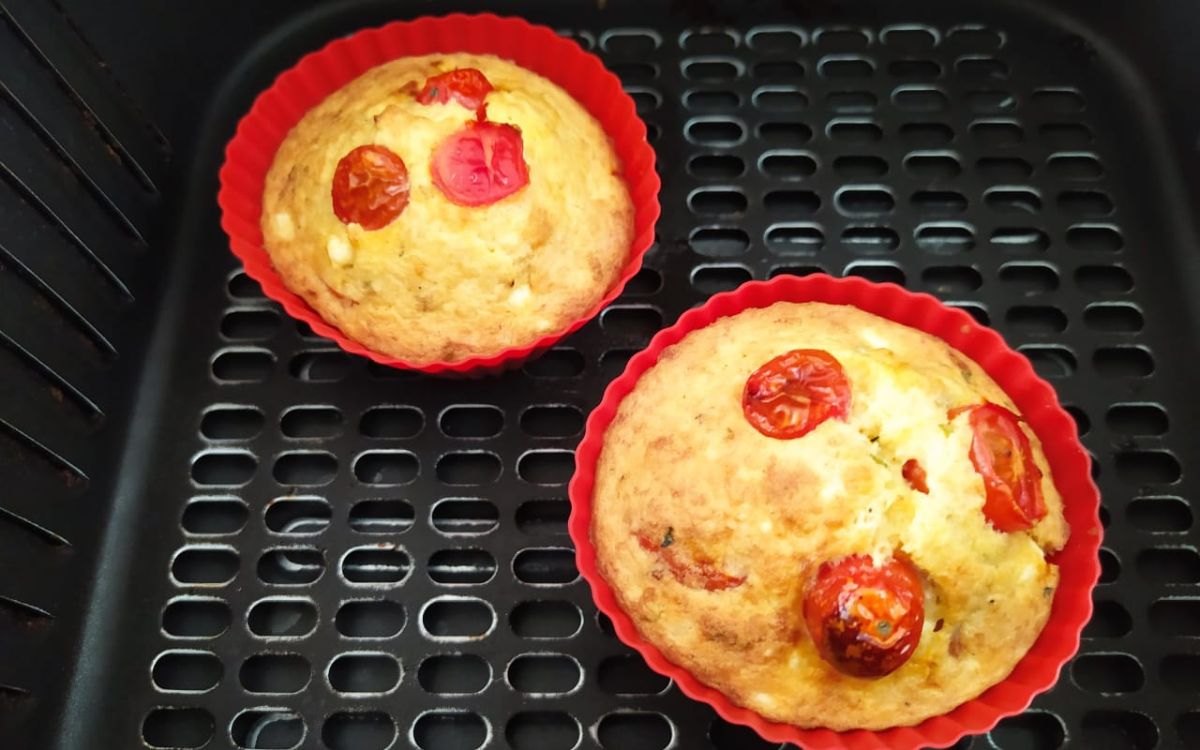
219	531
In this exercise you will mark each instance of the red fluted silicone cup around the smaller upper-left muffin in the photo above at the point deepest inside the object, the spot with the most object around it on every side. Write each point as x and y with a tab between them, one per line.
317	75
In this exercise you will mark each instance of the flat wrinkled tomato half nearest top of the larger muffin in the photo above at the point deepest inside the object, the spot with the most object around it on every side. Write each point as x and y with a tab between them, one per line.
793	394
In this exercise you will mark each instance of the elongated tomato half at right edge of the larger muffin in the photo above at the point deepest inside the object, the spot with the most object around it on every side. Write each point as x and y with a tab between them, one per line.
1001	454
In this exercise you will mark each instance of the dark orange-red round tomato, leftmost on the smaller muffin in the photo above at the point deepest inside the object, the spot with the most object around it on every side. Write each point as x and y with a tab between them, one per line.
370	188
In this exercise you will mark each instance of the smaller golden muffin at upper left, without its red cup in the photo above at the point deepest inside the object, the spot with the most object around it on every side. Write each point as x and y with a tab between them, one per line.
447	207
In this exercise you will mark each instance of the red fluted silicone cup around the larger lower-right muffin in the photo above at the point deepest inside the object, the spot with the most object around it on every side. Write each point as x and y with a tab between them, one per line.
1070	463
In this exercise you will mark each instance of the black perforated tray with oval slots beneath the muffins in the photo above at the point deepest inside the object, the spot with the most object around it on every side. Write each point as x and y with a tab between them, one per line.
344	556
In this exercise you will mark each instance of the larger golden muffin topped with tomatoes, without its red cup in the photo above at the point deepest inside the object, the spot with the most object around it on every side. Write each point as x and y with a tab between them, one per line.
836	520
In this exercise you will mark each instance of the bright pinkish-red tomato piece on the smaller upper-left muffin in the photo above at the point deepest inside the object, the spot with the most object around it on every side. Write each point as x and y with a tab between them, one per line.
481	165
